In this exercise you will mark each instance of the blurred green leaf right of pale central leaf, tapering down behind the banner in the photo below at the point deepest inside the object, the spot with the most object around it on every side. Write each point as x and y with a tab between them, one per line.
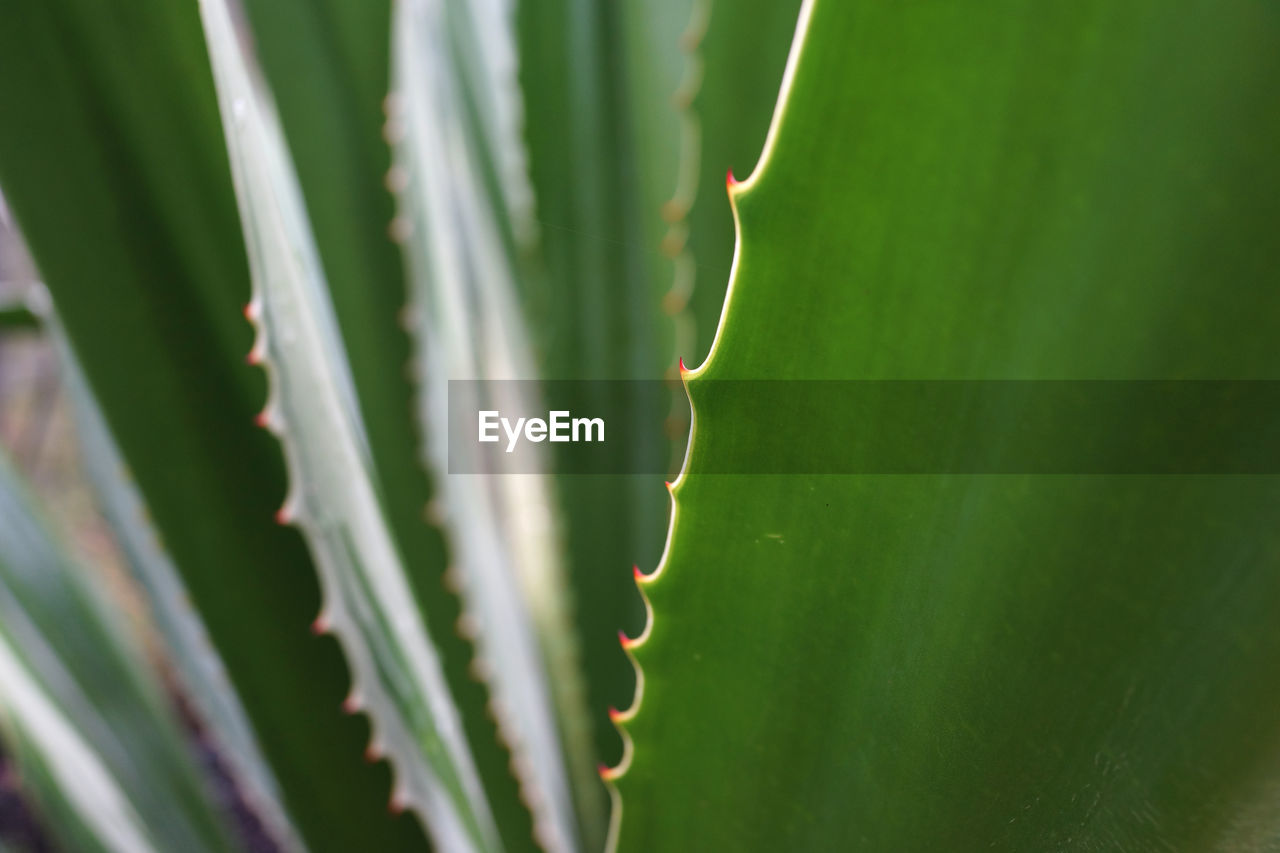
591	294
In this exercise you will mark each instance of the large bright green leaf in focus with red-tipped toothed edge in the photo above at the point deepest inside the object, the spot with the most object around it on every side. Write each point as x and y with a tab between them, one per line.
1016	191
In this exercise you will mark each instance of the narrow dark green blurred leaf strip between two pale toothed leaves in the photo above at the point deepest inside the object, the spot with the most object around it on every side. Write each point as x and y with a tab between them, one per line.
328	69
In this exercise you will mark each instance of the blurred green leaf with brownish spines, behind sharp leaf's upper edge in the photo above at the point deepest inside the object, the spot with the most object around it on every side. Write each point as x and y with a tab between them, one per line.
702	81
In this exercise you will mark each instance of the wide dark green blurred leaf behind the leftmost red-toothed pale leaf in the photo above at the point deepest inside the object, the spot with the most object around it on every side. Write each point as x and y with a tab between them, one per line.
120	183
